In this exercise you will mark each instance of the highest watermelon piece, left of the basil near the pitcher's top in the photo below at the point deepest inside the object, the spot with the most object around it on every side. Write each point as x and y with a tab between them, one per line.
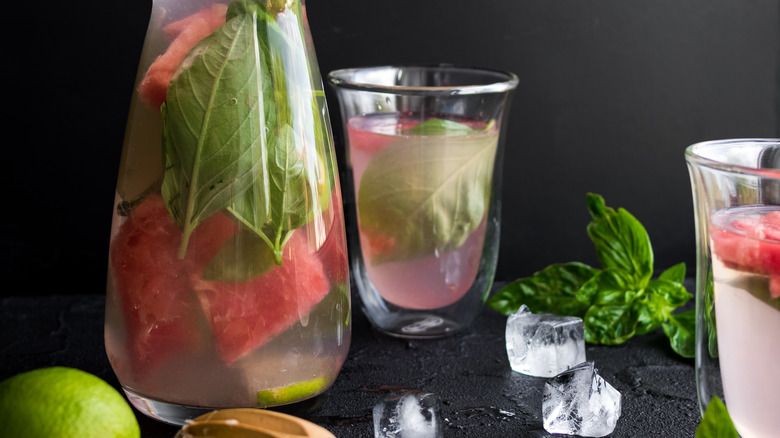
186	32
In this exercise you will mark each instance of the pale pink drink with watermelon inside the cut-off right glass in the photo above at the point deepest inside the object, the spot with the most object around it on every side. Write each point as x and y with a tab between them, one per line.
746	272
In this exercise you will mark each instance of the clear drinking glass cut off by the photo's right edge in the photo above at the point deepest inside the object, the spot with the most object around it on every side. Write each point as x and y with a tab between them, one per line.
736	194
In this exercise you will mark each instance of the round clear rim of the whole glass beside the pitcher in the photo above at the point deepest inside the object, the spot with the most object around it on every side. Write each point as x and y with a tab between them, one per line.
504	80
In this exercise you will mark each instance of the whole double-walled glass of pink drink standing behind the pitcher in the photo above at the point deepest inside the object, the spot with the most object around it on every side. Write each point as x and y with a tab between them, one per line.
424	148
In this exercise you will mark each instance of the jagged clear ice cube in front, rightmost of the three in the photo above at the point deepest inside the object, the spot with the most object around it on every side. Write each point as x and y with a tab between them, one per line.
580	402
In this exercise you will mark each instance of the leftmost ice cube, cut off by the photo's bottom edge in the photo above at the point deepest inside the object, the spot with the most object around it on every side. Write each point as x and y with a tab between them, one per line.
408	414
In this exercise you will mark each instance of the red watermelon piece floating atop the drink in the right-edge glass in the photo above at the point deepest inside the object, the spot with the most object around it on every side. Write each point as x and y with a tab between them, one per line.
754	246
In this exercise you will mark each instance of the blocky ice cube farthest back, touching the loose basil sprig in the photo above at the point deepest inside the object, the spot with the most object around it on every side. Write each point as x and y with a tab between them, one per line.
544	345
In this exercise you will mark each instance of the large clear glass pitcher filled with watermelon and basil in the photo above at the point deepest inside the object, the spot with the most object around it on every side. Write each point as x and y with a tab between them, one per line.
228	280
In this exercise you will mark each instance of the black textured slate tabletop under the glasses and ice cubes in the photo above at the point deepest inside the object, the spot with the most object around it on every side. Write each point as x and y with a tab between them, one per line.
481	396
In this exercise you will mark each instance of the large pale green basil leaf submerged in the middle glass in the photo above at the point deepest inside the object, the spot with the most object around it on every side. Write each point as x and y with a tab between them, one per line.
426	199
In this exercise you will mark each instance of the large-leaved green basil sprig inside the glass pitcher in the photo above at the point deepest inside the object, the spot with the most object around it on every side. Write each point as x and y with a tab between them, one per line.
241	124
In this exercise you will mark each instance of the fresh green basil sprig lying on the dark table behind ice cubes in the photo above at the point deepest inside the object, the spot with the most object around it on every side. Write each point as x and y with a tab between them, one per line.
618	301
